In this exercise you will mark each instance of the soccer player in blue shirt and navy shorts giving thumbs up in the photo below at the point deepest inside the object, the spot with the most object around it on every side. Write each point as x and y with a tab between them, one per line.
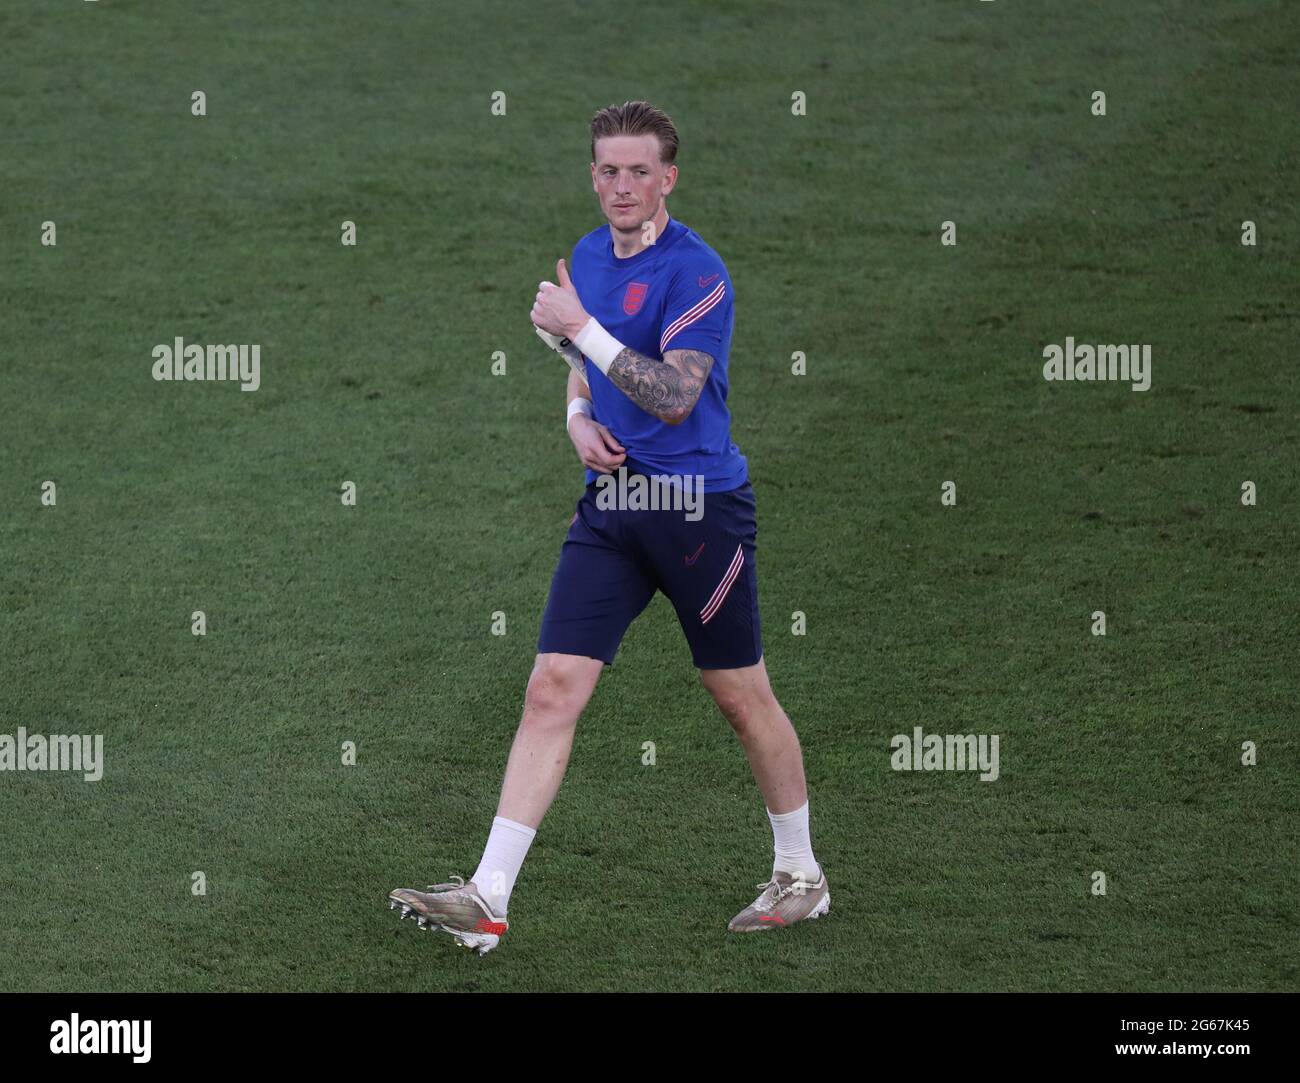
651	307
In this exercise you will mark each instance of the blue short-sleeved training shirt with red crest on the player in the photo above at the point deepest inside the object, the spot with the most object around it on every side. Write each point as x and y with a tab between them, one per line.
675	294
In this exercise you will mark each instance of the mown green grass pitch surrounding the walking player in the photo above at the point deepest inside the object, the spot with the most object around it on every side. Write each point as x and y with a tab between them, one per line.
372	623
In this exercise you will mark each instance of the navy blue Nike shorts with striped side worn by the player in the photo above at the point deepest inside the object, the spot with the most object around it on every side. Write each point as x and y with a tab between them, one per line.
614	561
